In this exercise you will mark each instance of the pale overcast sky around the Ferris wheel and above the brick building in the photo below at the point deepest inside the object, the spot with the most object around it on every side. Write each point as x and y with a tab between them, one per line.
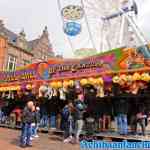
33	15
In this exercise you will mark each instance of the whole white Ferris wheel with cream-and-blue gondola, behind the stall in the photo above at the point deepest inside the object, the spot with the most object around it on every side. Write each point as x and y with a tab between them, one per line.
100	25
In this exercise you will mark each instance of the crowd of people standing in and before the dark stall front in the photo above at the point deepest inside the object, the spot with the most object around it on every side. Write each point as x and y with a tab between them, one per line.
81	109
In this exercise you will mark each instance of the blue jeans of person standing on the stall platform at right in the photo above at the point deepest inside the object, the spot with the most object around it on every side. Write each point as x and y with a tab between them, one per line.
122	124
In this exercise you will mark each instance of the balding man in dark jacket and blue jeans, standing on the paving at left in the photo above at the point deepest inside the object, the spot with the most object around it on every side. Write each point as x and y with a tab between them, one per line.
28	118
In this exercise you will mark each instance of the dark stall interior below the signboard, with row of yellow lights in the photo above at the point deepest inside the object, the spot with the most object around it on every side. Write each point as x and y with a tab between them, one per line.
121	98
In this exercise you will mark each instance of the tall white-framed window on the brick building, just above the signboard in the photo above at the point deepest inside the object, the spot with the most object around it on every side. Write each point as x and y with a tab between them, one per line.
11	64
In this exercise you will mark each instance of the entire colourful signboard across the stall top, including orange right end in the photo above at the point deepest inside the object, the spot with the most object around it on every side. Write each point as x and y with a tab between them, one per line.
59	69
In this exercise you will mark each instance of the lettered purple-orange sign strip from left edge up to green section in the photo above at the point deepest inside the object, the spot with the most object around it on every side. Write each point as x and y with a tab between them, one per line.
66	69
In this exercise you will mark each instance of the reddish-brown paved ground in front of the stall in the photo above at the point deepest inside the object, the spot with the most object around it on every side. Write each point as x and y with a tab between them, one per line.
9	140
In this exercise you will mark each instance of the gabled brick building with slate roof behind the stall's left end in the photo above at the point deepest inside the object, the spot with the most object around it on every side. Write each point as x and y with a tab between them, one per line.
16	51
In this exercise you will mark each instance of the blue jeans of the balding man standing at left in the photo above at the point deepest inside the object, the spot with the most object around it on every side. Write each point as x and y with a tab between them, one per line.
26	134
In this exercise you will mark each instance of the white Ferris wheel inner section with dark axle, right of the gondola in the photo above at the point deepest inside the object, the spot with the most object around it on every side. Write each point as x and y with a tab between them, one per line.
114	21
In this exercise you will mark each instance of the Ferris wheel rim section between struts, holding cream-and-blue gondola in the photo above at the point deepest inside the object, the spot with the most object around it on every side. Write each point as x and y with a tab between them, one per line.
76	27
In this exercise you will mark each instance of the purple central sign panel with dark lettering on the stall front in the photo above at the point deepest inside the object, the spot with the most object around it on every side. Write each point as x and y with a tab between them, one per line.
82	68
